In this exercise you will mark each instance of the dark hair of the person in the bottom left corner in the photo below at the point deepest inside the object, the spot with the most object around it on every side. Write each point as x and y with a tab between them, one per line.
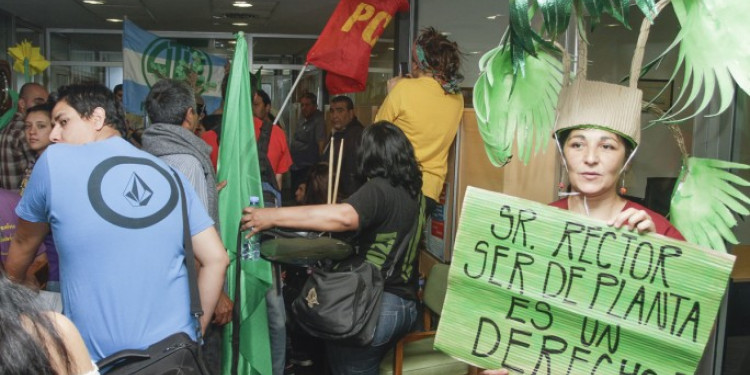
27	333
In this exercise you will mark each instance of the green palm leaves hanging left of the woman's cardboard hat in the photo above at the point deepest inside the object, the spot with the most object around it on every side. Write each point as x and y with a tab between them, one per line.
520	107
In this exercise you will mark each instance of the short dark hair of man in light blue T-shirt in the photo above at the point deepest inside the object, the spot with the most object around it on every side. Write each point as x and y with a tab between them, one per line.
85	97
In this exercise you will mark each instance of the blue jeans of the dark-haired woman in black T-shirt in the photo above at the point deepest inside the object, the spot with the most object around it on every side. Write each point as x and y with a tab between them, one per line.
397	318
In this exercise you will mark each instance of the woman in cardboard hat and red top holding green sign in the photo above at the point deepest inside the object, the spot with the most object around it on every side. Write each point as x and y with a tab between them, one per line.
597	141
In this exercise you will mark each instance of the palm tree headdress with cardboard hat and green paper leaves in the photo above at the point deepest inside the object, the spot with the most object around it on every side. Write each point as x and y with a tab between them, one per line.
523	94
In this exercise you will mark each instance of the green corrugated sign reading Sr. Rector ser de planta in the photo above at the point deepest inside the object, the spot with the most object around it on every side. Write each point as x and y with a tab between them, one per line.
539	290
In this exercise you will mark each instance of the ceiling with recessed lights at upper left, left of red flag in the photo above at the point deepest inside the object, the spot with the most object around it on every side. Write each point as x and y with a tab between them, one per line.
265	16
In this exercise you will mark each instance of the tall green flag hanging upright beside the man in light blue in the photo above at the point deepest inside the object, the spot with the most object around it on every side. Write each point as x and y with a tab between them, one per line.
238	165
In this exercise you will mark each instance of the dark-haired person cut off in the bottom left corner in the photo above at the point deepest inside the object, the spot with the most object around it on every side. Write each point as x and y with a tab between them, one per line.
36	342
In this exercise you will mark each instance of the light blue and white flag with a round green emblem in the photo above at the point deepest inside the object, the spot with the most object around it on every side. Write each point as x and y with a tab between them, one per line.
149	58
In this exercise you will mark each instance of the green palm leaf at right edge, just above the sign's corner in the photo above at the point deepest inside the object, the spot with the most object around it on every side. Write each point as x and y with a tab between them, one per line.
705	199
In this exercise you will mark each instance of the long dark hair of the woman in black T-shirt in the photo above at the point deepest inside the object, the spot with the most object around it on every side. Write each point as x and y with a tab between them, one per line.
386	152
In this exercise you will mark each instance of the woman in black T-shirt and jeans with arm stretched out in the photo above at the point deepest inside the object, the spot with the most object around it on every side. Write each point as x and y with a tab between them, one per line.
382	212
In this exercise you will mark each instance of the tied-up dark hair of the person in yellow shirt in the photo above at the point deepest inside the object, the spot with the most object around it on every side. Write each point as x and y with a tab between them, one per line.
442	55
